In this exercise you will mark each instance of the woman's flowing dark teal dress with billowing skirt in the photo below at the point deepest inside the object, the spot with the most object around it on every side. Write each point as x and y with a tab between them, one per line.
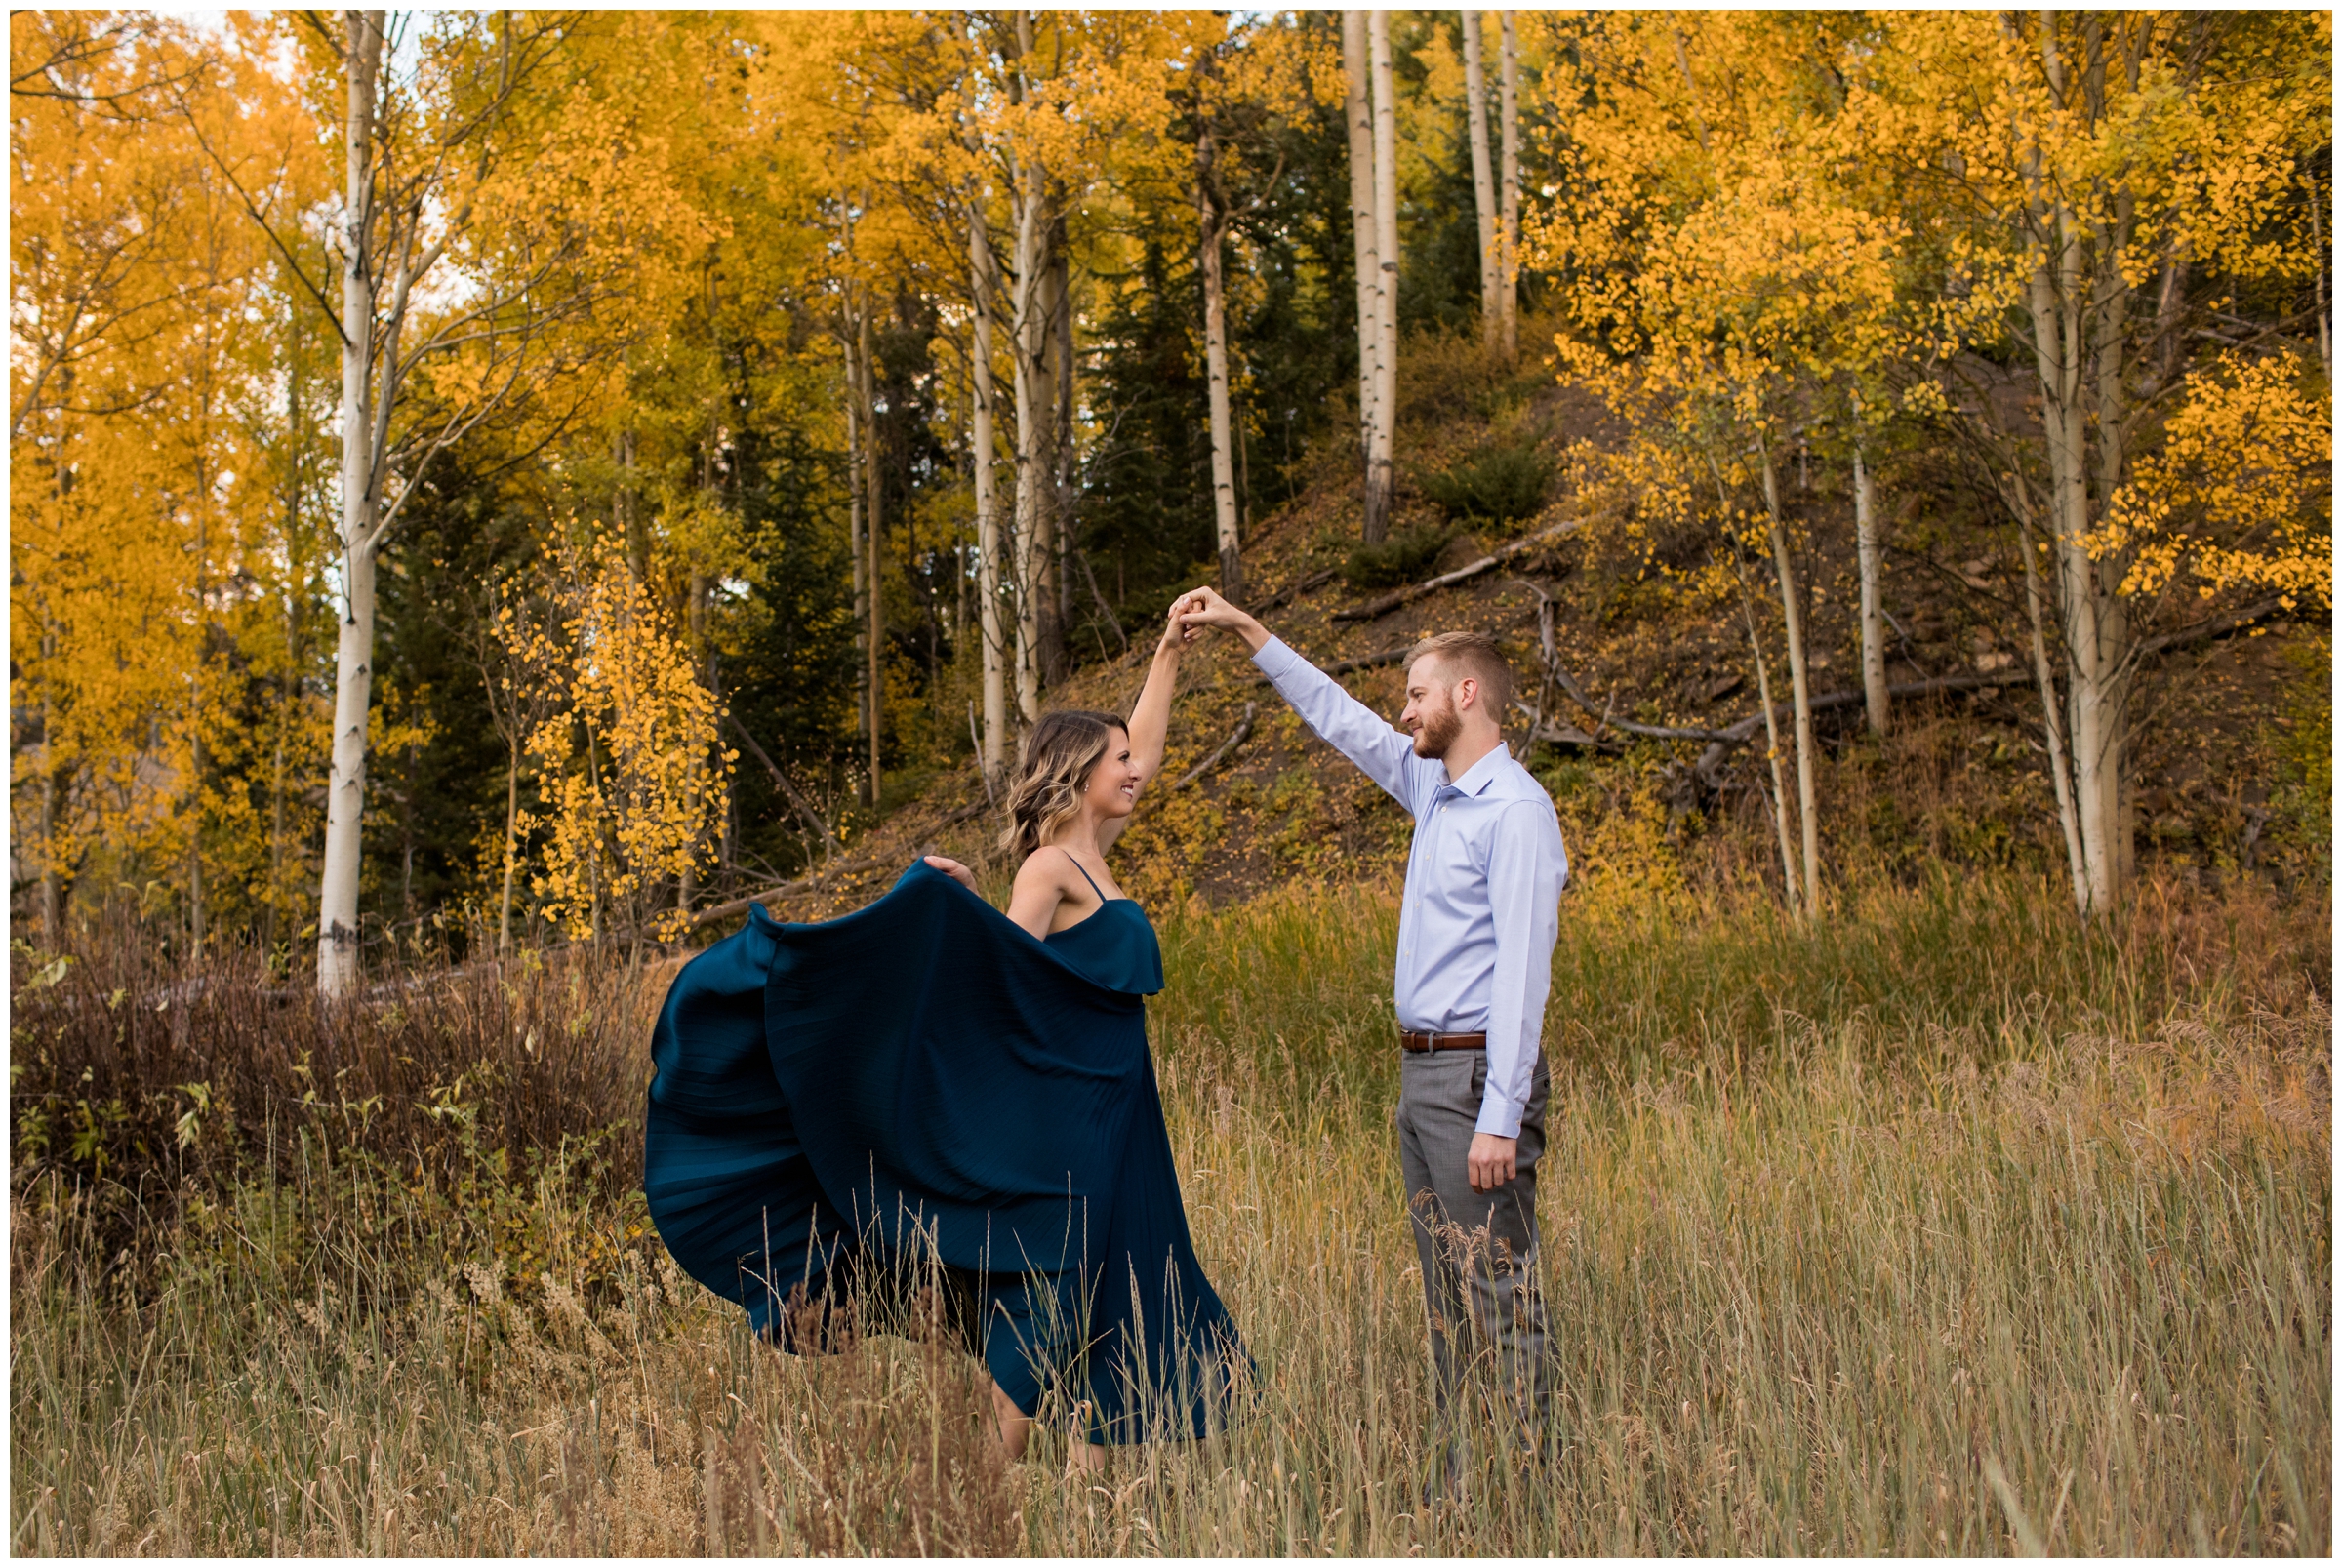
924	1080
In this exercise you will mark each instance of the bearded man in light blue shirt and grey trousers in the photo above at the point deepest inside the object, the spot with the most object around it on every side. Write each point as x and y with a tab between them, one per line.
1474	968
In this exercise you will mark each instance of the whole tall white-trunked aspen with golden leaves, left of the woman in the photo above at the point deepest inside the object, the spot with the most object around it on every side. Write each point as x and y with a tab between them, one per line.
439	160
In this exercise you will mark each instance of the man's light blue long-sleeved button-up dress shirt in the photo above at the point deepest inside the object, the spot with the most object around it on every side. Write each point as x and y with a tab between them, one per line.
1484	883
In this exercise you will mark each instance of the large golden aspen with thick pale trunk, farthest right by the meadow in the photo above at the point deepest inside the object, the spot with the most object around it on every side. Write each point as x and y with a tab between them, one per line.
2121	174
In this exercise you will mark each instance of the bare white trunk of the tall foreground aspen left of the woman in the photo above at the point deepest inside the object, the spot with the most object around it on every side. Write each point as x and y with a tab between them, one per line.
355	645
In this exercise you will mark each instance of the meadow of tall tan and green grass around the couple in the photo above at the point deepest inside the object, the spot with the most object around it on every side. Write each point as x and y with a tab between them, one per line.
1933	1230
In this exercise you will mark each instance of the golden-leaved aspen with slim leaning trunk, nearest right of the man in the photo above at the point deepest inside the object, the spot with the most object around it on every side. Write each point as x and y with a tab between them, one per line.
1748	282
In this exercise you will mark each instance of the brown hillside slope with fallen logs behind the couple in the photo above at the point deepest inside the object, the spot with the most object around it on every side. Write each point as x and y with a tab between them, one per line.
1957	783
